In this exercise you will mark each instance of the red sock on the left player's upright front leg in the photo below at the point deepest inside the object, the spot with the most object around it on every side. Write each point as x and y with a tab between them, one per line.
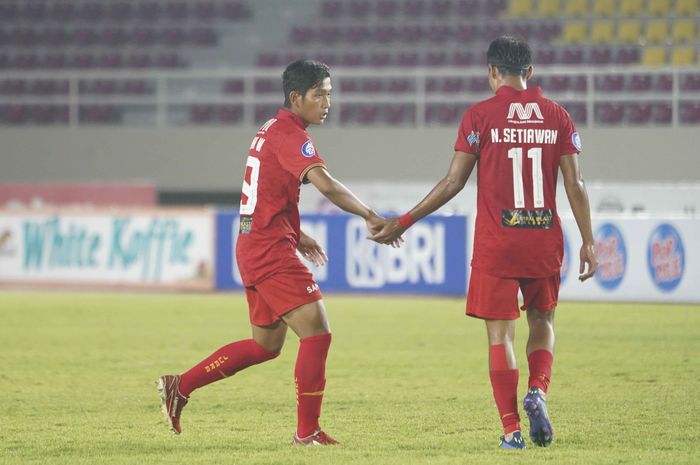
310	380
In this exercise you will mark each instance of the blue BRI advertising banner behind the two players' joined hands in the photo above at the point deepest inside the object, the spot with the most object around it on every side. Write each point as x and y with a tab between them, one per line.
433	259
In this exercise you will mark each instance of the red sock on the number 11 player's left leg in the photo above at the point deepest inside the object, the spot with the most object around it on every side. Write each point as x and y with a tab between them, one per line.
504	381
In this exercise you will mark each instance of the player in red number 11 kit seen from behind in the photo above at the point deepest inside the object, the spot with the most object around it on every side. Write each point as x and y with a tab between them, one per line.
518	140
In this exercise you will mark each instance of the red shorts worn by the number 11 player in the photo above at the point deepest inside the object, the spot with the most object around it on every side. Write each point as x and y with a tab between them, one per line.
496	298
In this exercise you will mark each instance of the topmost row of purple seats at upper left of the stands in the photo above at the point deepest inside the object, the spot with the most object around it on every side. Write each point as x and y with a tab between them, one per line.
91	11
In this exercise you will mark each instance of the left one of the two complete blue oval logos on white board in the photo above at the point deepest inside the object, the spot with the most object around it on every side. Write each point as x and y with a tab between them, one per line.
612	256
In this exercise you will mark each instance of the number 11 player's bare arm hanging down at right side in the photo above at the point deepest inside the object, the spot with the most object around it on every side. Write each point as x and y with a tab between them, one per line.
578	199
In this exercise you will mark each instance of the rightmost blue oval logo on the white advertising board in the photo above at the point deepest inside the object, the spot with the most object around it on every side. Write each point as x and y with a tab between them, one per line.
666	257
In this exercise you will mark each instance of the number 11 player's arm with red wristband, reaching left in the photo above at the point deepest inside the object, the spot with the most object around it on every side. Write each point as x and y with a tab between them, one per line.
457	176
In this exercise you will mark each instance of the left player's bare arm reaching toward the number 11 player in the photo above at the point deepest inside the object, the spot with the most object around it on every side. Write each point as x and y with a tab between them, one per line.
343	198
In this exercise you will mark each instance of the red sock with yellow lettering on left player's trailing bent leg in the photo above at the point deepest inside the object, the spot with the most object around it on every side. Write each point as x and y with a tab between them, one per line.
223	363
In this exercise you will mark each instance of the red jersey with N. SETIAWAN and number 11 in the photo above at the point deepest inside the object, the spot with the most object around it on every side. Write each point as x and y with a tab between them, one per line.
518	137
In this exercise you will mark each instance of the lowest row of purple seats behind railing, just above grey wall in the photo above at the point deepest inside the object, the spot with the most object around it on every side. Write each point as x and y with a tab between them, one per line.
608	113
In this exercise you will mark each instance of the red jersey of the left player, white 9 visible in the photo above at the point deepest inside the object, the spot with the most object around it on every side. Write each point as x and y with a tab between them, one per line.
280	156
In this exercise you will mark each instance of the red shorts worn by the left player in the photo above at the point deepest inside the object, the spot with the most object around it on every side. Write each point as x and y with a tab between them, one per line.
281	293
